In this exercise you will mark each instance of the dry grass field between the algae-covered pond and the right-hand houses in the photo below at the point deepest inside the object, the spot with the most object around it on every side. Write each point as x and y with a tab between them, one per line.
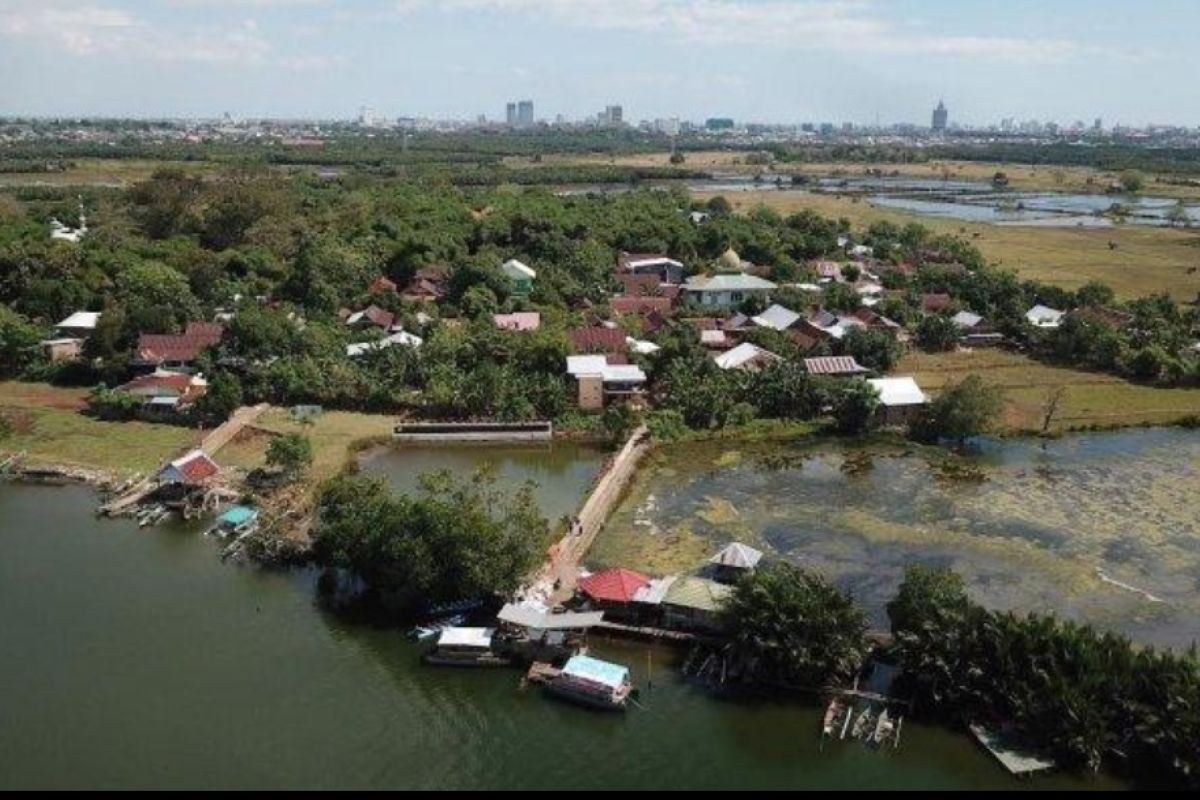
1089	399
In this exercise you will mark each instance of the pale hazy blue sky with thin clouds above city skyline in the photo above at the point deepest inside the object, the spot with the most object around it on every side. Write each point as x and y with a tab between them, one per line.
763	61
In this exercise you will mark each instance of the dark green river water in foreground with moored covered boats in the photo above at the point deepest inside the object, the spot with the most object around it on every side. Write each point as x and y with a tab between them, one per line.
136	659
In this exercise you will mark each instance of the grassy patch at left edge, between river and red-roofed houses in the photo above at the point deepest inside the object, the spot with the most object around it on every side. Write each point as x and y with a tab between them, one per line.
50	428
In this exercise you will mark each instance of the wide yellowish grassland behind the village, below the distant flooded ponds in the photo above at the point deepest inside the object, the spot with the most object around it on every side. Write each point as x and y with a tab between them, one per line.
1135	261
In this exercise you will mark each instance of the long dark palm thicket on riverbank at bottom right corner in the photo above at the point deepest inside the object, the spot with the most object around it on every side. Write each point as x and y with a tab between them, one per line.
1085	696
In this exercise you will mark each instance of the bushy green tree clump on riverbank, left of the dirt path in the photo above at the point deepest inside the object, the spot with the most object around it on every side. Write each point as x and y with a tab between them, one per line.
458	539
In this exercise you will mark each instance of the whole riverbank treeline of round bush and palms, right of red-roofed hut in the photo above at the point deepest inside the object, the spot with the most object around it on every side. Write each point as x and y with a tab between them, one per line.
1091	700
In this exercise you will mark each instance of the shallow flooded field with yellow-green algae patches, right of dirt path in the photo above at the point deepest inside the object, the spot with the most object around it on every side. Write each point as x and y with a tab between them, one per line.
1102	528
